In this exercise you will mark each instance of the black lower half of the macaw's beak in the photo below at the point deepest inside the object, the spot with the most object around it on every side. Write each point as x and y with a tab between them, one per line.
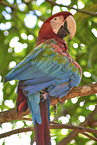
63	31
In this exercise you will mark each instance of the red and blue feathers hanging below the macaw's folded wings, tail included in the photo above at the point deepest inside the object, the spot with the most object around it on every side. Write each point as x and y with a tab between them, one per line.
40	114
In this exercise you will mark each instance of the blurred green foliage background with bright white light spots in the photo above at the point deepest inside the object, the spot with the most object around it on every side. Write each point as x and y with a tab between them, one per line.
20	22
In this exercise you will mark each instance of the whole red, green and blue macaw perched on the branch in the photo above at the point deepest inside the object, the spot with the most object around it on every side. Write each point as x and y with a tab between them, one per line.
48	71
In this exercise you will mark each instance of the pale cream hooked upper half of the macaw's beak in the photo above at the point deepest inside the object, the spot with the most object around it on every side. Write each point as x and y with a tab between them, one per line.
71	26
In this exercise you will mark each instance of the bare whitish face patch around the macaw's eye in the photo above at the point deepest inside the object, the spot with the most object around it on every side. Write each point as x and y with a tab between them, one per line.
56	23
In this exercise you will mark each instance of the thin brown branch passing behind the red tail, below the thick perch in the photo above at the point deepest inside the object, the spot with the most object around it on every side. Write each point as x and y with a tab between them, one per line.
82	130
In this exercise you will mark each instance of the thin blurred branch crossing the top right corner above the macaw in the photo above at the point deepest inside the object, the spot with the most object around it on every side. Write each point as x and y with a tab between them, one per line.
69	7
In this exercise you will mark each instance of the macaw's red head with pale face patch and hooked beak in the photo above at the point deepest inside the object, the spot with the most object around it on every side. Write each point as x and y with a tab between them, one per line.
57	26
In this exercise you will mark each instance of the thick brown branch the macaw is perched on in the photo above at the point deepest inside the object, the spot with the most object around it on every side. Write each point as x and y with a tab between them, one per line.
79	91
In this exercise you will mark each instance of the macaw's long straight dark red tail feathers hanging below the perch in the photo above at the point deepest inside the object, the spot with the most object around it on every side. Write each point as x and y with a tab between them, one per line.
42	134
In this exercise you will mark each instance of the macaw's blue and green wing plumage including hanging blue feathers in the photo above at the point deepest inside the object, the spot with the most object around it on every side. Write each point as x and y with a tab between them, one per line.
44	68
